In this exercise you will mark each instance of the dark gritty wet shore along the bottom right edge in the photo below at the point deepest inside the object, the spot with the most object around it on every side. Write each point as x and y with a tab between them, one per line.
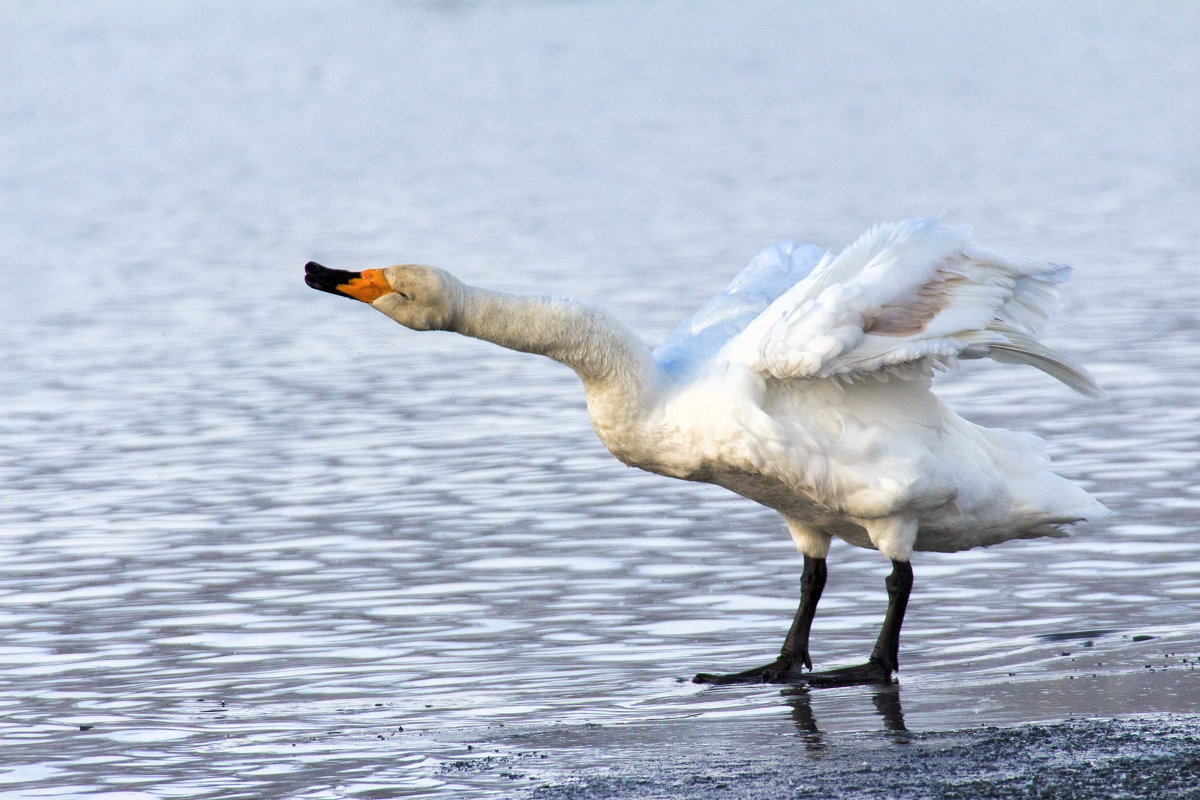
1082	760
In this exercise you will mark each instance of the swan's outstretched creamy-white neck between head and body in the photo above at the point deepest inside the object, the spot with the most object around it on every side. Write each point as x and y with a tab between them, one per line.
619	374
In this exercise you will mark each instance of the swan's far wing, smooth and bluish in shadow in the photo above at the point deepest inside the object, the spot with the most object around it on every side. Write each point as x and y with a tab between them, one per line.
772	273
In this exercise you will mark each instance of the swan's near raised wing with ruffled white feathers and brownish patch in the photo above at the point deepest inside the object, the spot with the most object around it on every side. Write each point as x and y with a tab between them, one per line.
911	296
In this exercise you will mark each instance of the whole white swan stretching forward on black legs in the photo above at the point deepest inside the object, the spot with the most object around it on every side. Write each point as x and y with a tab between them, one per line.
806	387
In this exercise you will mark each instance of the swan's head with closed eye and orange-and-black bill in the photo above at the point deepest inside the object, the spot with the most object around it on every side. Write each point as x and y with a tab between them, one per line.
421	298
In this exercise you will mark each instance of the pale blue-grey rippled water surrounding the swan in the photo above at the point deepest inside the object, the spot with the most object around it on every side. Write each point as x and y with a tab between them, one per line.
260	543
